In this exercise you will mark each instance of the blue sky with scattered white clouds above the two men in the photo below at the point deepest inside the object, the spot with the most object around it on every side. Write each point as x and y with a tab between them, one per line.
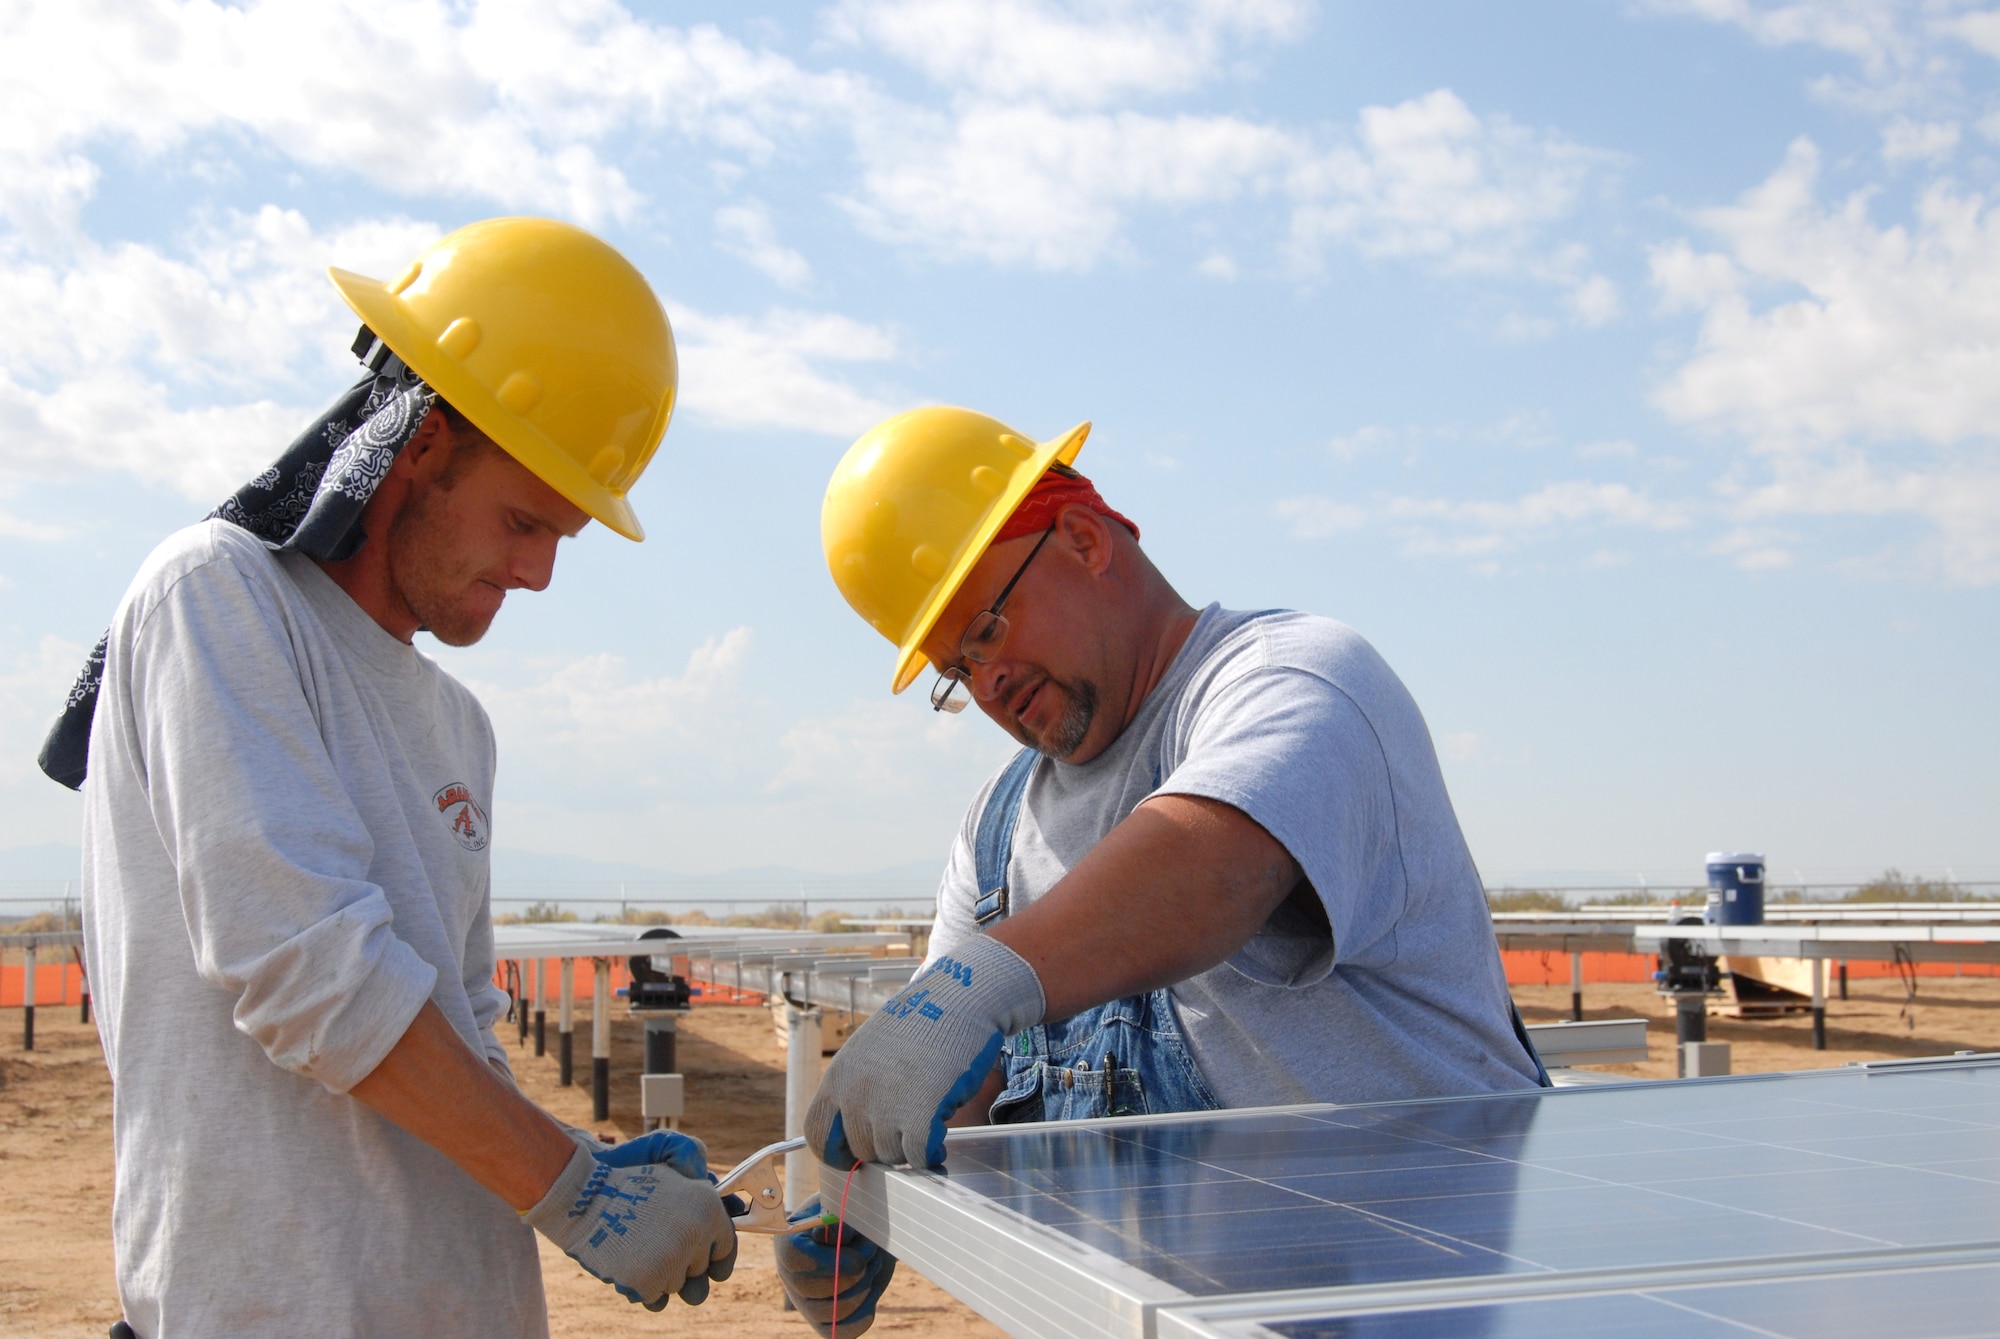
1627	373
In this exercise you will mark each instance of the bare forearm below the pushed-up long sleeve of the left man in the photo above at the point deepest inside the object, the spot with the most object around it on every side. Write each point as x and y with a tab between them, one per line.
451	1098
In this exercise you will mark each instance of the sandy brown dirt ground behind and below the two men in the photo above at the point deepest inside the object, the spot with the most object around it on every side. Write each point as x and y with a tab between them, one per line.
57	1160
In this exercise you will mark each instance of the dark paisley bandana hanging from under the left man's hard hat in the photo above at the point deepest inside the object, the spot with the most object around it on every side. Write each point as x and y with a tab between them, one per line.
309	501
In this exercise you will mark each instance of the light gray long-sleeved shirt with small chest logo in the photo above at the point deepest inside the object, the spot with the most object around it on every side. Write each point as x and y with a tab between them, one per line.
285	856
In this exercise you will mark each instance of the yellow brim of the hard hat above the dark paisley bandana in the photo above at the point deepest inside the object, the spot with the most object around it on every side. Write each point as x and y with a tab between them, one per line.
519	439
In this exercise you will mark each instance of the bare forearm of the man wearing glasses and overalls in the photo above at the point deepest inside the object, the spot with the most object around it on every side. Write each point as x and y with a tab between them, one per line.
1173	890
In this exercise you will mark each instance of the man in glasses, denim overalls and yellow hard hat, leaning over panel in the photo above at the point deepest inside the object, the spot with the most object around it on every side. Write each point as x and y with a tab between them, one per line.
1223	872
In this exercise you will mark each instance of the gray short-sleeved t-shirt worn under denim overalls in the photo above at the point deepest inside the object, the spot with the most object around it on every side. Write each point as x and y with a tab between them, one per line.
1301	724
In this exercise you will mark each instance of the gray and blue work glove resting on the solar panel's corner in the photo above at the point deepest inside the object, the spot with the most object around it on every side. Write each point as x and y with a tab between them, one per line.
891	1088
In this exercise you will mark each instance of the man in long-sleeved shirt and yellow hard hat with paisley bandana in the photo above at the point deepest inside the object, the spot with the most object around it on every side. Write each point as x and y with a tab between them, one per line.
287	820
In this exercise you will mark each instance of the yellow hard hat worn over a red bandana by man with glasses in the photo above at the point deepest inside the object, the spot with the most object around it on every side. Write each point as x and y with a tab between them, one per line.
913	507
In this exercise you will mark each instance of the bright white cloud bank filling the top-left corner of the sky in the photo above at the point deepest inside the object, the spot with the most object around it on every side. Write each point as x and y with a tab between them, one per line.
503	101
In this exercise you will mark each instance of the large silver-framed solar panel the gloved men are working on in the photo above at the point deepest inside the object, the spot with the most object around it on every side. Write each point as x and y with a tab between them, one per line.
1505	1198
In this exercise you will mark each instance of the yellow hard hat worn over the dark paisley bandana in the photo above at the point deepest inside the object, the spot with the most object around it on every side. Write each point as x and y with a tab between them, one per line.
549	341
